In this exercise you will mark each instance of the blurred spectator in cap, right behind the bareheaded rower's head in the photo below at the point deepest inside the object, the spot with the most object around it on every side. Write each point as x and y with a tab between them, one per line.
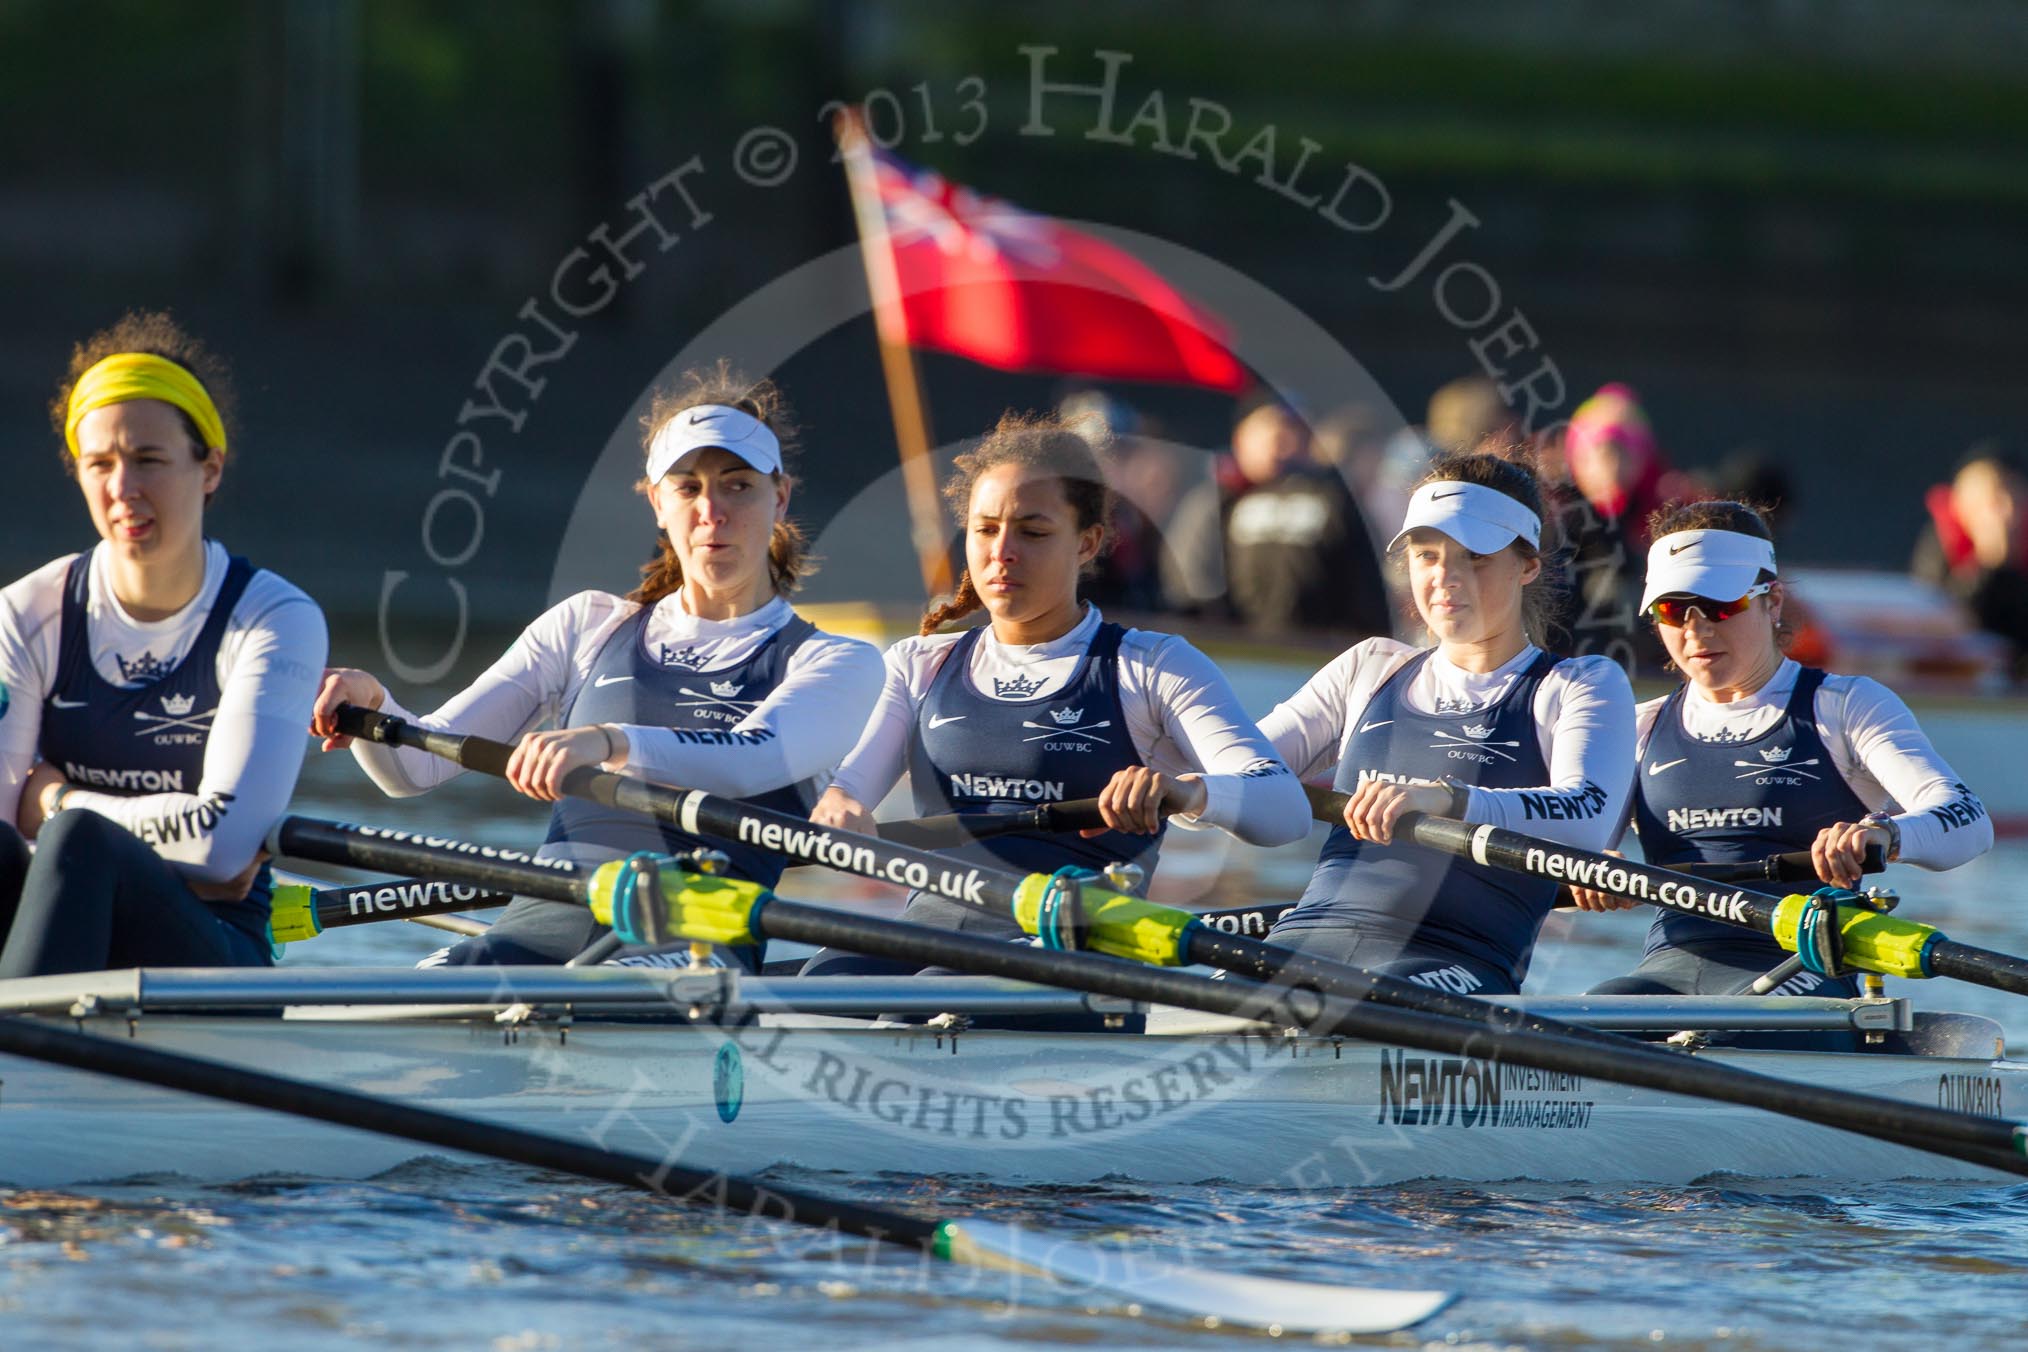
1145	477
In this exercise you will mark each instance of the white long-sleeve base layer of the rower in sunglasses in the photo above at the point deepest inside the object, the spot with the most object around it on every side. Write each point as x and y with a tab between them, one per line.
1877	747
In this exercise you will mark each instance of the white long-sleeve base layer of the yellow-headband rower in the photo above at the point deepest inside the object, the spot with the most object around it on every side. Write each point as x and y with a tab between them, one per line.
269	668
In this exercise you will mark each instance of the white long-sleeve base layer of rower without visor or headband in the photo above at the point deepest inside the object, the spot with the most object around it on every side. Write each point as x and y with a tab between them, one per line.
1179	708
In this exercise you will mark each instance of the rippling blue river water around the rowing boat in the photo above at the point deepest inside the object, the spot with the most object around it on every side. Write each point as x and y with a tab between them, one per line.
441	1256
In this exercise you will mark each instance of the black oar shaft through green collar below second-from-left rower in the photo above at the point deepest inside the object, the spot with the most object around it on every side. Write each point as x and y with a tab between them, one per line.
1510	1039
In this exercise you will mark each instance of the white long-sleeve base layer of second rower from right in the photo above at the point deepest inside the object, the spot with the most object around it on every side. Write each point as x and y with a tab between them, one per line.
1585	719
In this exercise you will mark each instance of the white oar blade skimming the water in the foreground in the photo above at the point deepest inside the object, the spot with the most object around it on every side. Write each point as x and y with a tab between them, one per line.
1228	1298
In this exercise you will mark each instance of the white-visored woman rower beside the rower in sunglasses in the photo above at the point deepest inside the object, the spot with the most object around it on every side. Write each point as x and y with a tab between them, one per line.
1483	727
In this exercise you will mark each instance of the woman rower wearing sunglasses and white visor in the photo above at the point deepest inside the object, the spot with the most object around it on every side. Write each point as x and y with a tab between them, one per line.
1757	755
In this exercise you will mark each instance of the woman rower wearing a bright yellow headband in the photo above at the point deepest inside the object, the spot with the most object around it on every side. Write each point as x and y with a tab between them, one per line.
153	690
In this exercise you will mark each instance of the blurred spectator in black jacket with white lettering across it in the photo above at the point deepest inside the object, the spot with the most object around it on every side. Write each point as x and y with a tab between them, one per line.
1273	538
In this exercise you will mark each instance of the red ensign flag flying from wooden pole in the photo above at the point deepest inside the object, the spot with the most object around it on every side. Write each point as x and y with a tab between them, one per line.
1009	289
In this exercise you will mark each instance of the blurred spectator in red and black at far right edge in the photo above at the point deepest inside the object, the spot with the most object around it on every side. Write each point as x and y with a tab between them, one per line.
1976	544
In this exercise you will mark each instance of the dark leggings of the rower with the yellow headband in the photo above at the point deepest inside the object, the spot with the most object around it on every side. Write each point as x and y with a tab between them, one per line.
96	897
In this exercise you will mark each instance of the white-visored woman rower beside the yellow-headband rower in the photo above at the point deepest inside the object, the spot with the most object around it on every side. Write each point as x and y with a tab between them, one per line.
703	676
